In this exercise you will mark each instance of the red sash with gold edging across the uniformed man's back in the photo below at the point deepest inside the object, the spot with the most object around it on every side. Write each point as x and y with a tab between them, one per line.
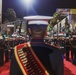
28	61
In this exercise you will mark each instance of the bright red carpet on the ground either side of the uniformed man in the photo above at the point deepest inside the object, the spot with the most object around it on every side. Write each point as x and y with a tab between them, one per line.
69	68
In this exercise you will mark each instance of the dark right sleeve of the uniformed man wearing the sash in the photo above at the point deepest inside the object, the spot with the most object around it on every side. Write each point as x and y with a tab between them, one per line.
57	62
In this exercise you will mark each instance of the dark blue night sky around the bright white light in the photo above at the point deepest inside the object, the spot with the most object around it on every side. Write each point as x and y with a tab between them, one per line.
40	7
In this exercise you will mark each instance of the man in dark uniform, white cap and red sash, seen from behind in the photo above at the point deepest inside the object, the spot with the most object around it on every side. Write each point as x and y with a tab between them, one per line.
48	57
